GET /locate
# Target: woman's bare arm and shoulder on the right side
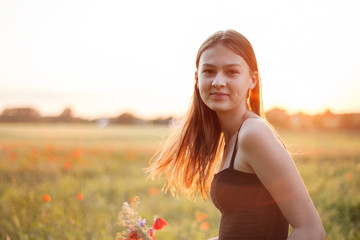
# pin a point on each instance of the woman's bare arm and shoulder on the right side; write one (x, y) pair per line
(263, 151)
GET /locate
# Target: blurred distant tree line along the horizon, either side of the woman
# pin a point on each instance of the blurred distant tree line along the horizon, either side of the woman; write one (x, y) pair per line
(279, 118)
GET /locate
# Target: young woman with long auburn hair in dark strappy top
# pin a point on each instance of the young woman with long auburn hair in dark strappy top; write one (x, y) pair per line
(225, 144)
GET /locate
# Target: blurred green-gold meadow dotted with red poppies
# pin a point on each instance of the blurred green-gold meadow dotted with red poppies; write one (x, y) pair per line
(89, 172)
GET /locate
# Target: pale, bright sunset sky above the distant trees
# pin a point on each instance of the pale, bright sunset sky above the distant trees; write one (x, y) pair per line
(103, 58)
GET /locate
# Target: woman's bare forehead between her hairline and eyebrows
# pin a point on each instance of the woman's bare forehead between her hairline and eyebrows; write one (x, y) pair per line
(220, 55)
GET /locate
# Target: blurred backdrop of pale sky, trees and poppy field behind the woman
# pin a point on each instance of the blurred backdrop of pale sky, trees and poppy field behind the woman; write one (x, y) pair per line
(88, 89)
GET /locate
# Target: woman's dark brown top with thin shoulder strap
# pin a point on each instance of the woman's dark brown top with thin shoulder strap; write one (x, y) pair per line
(248, 211)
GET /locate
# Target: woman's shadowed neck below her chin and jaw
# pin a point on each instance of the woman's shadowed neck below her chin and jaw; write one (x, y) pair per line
(230, 121)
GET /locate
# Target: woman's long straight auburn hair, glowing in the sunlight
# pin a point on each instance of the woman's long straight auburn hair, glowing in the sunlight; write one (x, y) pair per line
(192, 151)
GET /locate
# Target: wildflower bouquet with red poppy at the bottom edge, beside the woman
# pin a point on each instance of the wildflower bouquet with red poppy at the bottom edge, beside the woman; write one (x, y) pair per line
(135, 225)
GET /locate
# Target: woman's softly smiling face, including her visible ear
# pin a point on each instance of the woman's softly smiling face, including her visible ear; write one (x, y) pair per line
(223, 79)
